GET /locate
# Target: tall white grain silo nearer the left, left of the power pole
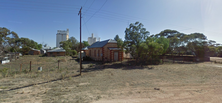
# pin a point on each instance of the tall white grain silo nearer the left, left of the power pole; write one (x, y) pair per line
(62, 35)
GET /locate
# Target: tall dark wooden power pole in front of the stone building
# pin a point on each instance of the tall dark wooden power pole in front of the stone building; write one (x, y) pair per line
(80, 58)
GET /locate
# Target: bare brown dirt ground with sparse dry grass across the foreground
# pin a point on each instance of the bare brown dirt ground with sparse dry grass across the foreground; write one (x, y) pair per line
(118, 83)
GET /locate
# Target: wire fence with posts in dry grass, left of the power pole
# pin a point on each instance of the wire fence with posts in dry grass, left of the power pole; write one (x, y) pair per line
(52, 68)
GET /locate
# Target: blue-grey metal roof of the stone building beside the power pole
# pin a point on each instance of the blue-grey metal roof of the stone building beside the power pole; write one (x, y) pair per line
(100, 44)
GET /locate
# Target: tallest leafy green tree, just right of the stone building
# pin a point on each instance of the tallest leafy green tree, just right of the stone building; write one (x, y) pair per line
(134, 36)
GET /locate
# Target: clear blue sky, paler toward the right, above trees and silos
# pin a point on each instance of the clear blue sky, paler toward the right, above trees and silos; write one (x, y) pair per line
(39, 20)
